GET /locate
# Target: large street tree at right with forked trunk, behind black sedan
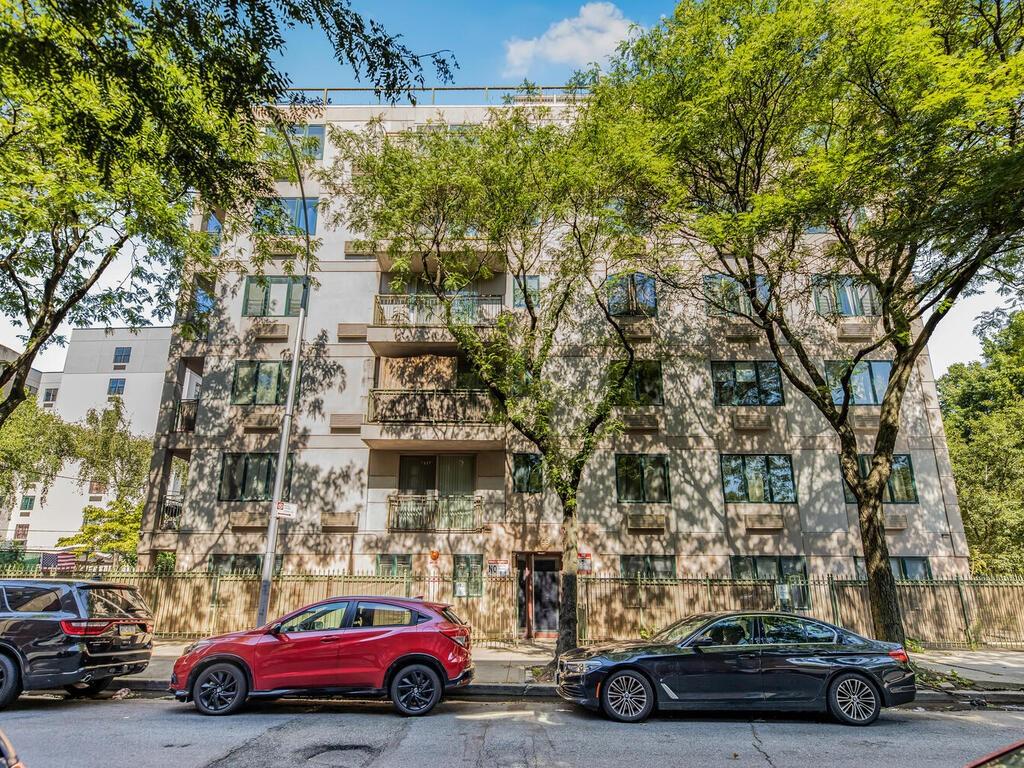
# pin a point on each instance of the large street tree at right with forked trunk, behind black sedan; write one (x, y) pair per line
(892, 129)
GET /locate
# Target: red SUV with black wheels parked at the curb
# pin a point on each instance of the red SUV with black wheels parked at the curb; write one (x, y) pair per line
(408, 650)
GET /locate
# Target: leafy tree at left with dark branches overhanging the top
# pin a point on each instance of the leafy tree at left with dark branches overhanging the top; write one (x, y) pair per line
(116, 119)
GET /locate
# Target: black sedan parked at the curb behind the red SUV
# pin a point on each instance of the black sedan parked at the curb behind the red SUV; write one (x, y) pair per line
(741, 661)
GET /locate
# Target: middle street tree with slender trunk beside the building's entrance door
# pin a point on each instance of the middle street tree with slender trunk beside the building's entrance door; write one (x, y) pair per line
(528, 196)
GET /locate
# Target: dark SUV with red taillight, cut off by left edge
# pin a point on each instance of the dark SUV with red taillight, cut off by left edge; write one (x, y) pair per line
(75, 635)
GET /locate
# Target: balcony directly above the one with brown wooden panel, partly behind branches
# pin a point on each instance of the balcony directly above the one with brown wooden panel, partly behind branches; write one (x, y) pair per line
(407, 324)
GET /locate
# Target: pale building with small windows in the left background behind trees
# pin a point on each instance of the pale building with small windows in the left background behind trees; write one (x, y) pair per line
(101, 365)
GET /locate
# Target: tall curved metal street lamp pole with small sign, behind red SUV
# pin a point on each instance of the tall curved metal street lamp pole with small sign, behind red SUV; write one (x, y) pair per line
(270, 554)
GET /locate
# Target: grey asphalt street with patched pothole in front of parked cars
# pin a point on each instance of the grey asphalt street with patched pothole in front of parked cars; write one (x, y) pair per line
(51, 733)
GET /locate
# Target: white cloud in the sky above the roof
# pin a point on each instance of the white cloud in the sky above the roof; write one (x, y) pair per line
(589, 36)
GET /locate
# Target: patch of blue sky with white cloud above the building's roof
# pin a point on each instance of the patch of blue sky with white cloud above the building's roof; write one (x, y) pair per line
(494, 42)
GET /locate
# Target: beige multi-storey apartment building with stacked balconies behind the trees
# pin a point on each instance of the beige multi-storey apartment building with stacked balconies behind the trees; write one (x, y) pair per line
(723, 468)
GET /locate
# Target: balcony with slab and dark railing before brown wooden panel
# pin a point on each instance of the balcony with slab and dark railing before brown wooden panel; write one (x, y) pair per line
(439, 419)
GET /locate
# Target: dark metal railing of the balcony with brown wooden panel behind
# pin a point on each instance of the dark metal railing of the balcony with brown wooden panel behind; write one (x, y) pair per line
(430, 407)
